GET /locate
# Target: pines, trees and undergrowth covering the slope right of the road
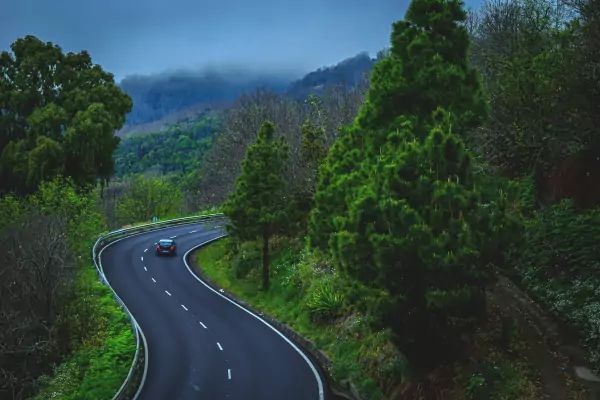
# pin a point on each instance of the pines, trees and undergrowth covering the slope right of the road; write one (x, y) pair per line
(434, 188)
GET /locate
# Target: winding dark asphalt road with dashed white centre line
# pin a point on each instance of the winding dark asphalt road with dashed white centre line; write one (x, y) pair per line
(201, 345)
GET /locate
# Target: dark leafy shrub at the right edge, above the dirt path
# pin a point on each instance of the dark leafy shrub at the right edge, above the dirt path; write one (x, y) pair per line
(558, 262)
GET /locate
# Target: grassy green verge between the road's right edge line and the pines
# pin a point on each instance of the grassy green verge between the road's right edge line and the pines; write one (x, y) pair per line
(345, 340)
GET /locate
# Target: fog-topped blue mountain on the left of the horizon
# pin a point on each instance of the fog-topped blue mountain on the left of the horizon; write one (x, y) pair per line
(155, 97)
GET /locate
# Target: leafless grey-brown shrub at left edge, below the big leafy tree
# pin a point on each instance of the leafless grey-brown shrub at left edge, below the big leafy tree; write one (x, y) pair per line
(36, 280)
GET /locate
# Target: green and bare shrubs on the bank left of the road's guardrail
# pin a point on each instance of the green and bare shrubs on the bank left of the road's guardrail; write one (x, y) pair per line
(66, 337)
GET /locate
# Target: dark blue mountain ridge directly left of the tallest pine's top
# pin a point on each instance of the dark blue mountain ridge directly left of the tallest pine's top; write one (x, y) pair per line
(349, 73)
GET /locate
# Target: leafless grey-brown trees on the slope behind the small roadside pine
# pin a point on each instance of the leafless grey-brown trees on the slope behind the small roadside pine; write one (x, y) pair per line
(338, 106)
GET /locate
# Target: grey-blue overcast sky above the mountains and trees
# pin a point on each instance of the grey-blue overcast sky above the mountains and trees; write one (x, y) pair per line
(150, 36)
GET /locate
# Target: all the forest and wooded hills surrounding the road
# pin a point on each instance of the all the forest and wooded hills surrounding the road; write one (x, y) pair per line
(403, 214)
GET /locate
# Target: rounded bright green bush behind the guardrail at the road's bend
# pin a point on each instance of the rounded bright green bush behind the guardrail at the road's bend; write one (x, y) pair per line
(145, 198)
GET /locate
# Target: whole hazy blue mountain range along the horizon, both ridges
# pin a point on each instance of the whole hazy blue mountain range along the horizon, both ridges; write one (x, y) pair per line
(178, 94)
